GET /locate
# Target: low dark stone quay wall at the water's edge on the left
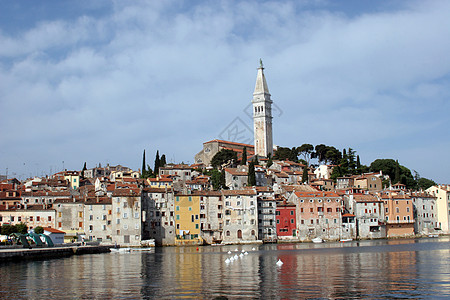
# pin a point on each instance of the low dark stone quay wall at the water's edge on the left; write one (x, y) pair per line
(44, 253)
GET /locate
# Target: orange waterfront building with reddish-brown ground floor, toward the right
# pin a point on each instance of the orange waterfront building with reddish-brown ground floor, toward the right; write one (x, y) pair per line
(399, 215)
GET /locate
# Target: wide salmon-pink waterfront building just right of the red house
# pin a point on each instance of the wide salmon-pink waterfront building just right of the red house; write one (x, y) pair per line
(318, 214)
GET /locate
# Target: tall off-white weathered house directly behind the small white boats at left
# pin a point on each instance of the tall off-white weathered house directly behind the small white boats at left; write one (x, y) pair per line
(126, 217)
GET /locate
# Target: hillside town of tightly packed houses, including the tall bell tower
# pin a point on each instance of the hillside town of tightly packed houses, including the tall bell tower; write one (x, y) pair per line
(233, 193)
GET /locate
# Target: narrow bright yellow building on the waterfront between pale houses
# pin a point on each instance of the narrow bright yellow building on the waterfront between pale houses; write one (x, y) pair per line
(187, 219)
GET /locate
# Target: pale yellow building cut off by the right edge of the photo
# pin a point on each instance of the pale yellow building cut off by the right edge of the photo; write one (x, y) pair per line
(442, 194)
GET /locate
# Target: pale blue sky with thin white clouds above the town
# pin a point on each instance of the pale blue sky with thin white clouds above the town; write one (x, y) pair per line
(100, 81)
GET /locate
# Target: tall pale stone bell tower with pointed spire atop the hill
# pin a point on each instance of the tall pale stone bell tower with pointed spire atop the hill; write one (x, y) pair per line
(262, 115)
